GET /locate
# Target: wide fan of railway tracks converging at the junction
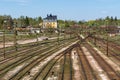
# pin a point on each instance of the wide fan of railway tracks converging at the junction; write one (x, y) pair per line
(75, 58)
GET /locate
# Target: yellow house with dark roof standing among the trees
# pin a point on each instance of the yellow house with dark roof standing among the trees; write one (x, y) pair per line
(50, 21)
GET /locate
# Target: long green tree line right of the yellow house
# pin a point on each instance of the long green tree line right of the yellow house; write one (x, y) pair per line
(109, 21)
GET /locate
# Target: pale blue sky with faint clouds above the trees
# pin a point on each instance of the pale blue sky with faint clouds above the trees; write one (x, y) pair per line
(64, 9)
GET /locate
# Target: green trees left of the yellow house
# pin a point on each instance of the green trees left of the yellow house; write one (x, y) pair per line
(22, 21)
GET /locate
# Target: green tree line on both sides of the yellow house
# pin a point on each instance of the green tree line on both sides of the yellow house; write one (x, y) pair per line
(24, 21)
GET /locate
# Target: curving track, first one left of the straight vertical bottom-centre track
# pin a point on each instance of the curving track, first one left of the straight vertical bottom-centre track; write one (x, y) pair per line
(47, 69)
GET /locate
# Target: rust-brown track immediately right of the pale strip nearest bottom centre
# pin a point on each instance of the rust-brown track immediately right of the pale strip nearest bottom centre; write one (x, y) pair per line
(87, 71)
